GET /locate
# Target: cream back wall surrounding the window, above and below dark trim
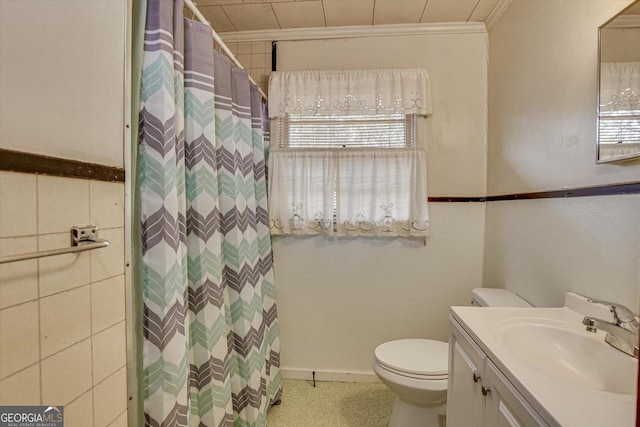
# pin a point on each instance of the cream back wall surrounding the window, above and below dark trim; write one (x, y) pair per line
(339, 299)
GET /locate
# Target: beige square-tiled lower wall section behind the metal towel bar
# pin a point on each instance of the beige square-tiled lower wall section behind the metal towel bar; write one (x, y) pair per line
(62, 318)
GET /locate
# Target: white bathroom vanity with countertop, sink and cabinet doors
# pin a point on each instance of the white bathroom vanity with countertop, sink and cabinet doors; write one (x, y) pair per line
(537, 366)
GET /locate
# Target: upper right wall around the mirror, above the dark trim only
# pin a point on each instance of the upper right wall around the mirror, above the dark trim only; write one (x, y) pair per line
(542, 99)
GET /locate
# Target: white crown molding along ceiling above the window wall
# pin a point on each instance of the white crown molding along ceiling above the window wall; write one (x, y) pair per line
(324, 33)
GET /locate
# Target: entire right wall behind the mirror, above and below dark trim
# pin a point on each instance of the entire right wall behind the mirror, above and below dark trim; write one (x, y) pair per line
(542, 136)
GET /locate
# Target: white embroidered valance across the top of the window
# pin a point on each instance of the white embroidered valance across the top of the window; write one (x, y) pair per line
(349, 92)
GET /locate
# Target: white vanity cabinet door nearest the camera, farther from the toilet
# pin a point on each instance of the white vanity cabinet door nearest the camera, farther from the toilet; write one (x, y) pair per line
(505, 406)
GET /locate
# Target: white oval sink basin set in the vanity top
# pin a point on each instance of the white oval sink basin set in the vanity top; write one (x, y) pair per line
(567, 352)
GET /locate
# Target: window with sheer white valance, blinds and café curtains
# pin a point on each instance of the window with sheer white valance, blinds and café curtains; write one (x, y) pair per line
(344, 161)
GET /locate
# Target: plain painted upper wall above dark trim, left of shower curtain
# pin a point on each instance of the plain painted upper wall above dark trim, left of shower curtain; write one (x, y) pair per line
(62, 80)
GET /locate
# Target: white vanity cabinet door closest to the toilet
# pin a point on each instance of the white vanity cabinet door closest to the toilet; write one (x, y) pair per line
(464, 399)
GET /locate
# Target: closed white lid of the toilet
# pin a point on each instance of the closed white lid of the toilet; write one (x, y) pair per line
(415, 356)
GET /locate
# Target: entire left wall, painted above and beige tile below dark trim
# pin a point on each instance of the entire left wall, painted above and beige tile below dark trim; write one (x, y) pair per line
(62, 318)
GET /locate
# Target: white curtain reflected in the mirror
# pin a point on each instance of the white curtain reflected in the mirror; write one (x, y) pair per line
(620, 88)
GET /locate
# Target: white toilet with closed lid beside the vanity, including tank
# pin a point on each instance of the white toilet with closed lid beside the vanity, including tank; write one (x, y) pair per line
(416, 370)
